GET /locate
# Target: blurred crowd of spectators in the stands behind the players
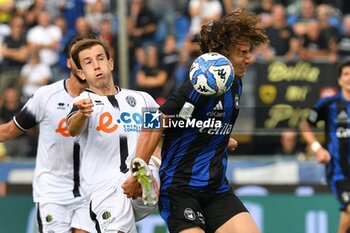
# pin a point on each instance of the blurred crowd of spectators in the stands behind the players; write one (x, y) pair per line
(34, 36)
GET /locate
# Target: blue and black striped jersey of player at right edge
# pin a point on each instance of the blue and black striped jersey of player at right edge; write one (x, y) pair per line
(334, 111)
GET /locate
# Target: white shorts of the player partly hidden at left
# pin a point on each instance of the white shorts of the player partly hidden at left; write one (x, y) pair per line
(62, 218)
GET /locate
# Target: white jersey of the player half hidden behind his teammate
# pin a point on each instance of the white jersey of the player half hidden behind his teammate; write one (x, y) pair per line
(56, 177)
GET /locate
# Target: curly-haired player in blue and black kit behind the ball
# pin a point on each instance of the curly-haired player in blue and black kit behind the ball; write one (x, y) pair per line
(195, 195)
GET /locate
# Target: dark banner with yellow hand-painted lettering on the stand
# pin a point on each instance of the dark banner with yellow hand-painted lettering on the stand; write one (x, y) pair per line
(286, 91)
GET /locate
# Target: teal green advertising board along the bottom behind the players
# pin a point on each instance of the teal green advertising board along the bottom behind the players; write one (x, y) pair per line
(273, 214)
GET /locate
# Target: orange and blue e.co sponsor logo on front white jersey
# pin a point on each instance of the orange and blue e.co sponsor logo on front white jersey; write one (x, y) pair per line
(131, 122)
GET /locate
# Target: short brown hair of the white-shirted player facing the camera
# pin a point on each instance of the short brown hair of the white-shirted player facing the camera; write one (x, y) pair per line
(86, 44)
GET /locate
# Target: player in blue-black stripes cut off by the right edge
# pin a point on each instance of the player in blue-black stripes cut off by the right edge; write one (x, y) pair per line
(334, 111)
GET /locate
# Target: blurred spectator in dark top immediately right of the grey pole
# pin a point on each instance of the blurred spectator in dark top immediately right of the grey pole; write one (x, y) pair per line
(142, 23)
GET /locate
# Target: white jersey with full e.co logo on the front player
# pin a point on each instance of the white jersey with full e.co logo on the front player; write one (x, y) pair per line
(109, 140)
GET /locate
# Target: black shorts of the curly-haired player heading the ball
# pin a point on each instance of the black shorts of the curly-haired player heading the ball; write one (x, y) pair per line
(187, 208)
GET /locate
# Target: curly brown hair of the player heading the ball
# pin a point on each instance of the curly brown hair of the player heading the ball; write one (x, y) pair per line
(221, 35)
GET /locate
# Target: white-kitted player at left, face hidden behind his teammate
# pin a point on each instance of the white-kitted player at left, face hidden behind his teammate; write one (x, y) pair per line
(61, 206)
